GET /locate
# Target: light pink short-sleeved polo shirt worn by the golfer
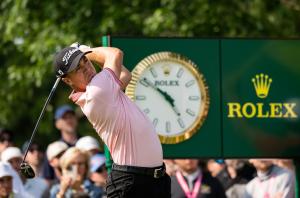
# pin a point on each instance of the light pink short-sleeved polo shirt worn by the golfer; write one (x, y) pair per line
(123, 127)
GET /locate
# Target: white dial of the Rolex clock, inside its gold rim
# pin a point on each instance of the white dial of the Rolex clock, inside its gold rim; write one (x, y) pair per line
(182, 88)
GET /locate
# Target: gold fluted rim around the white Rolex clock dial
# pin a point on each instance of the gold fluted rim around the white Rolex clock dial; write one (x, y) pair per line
(192, 67)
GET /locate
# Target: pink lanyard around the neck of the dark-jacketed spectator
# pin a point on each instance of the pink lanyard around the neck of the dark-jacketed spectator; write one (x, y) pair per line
(185, 188)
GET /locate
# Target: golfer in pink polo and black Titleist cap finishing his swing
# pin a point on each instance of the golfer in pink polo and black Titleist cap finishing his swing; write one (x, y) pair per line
(138, 169)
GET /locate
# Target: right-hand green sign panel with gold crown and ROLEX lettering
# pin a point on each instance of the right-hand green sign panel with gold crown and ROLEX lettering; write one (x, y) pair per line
(264, 75)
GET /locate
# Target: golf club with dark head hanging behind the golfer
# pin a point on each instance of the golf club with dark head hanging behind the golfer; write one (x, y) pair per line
(25, 168)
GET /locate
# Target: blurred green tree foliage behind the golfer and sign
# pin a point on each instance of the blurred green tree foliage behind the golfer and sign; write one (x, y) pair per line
(32, 31)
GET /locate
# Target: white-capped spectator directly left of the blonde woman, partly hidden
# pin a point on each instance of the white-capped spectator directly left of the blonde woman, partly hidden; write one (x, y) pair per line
(54, 151)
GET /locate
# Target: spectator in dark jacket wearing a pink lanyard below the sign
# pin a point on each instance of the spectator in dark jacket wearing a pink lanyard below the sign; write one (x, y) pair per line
(191, 181)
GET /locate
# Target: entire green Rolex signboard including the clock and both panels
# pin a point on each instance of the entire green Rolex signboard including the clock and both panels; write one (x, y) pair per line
(250, 89)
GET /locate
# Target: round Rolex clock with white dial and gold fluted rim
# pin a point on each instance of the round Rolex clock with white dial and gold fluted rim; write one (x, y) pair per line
(170, 90)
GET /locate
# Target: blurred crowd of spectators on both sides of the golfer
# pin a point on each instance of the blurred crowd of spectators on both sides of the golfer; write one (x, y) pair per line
(74, 166)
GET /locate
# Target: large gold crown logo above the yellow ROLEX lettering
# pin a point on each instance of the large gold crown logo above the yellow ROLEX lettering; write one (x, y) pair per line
(262, 85)
